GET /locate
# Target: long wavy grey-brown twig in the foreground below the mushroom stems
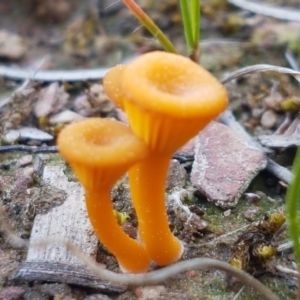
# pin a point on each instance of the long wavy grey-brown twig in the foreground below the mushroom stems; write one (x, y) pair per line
(163, 274)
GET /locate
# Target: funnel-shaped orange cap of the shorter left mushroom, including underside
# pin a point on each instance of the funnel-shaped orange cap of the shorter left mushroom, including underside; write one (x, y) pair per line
(100, 150)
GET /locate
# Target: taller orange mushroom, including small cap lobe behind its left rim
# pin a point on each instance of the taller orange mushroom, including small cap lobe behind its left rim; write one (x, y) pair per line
(168, 99)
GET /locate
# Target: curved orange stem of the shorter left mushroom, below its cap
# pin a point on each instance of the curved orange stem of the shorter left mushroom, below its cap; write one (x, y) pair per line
(131, 254)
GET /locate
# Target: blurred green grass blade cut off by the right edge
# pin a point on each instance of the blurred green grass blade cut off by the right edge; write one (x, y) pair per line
(292, 204)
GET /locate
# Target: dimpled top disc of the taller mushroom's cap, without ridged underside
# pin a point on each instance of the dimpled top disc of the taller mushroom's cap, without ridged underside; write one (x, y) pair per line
(173, 85)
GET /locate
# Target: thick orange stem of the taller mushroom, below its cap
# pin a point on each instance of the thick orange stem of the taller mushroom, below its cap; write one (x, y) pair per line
(147, 183)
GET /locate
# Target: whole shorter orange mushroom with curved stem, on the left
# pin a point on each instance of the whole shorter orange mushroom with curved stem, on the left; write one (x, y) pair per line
(100, 151)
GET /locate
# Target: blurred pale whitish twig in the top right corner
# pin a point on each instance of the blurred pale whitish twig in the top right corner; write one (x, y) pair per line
(281, 13)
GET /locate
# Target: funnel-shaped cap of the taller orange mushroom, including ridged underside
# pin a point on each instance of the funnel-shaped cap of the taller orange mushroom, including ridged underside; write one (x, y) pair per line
(168, 99)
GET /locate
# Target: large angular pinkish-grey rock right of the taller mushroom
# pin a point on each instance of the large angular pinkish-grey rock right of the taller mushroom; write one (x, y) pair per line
(224, 165)
